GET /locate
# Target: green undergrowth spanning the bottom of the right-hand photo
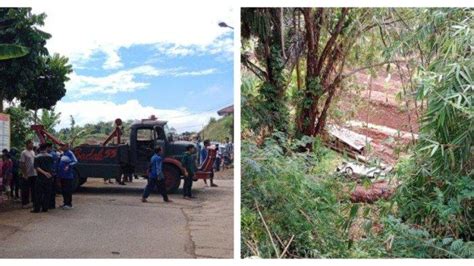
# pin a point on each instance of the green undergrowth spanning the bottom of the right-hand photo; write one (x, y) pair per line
(294, 205)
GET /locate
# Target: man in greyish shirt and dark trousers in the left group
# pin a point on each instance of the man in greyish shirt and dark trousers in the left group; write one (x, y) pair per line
(28, 180)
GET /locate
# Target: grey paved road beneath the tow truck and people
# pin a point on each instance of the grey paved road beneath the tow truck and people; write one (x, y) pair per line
(109, 221)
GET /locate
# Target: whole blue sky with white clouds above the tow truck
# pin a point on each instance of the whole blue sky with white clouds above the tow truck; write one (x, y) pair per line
(133, 61)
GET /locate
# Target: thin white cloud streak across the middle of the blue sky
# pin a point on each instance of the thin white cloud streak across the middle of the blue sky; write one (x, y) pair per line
(123, 80)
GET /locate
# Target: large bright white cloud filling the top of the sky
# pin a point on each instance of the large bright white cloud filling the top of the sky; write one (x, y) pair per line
(81, 28)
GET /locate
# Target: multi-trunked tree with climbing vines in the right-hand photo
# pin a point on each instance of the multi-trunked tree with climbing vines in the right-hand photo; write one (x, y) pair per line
(326, 41)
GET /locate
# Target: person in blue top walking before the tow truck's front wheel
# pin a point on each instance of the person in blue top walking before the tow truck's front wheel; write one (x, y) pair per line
(156, 177)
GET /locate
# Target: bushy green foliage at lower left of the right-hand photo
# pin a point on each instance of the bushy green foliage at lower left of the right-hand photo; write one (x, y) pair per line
(275, 189)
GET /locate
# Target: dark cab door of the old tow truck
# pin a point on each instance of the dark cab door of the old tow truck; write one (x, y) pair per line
(144, 149)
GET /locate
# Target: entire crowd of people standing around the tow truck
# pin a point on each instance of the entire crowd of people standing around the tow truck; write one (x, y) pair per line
(41, 172)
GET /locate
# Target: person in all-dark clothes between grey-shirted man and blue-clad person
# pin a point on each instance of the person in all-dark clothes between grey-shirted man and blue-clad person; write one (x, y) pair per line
(44, 167)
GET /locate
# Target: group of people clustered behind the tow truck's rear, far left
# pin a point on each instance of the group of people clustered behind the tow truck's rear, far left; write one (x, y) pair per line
(37, 175)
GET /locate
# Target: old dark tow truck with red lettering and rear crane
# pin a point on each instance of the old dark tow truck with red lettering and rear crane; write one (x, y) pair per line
(112, 159)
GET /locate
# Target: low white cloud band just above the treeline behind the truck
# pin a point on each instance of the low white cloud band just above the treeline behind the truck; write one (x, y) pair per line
(87, 112)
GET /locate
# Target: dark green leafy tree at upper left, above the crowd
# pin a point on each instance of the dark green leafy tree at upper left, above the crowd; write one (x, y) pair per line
(35, 79)
